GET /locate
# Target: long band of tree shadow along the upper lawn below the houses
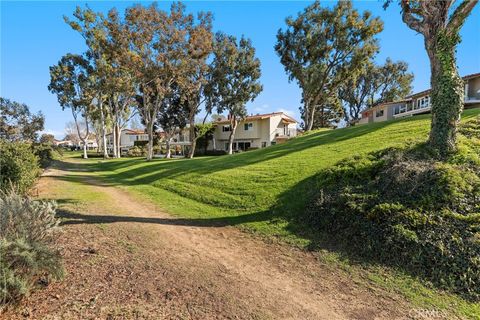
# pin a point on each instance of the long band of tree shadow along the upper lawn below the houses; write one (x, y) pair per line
(147, 173)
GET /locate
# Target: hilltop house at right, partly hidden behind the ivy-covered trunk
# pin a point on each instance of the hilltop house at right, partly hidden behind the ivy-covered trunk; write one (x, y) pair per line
(419, 103)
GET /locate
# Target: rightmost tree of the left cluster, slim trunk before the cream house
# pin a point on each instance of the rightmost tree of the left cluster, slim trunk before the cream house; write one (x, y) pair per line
(233, 79)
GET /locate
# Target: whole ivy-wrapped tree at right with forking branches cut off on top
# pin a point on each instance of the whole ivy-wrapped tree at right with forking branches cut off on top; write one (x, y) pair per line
(440, 23)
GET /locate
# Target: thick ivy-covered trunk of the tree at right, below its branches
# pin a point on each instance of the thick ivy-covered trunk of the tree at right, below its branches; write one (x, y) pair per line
(447, 95)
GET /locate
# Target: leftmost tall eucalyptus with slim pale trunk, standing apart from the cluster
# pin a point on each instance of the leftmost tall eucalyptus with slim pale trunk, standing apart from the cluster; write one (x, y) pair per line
(70, 81)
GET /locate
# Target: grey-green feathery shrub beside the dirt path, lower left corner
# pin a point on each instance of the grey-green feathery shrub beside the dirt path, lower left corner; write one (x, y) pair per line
(26, 235)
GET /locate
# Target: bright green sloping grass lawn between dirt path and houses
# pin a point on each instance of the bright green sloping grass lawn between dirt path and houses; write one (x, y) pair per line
(265, 190)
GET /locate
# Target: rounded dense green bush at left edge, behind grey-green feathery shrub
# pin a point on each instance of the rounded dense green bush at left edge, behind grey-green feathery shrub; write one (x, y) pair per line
(19, 166)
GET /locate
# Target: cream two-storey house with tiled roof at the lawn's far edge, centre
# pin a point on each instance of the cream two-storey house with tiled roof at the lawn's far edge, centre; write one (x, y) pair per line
(255, 131)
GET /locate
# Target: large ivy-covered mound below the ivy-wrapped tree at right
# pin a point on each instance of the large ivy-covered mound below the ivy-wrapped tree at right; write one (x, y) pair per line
(407, 208)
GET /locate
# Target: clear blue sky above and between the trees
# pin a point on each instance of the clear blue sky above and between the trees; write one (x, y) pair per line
(34, 37)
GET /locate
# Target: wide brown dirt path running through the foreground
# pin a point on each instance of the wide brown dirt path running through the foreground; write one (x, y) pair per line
(126, 259)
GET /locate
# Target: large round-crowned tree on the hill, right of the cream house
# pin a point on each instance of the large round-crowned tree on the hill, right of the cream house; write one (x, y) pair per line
(322, 48)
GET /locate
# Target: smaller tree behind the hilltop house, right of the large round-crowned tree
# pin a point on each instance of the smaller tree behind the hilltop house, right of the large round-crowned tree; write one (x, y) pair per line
(374, 85)
